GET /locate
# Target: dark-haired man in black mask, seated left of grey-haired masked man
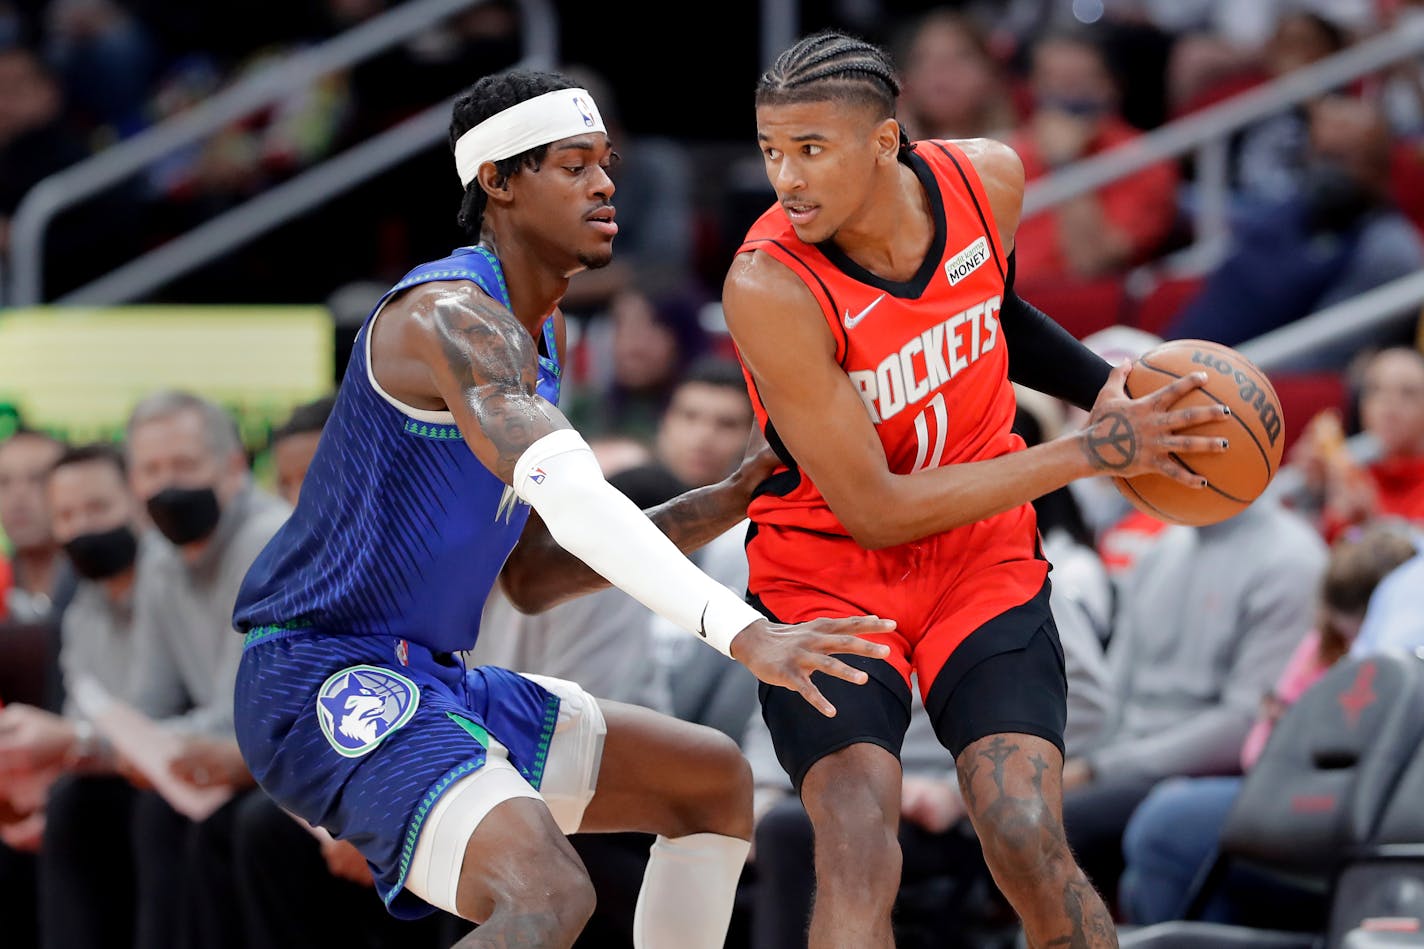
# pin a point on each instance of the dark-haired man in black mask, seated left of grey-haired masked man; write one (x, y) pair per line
(82, 821)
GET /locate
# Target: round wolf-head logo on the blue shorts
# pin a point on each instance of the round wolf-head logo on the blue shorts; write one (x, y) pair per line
(362, 705)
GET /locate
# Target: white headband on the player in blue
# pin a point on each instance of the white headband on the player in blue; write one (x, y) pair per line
(533, 123)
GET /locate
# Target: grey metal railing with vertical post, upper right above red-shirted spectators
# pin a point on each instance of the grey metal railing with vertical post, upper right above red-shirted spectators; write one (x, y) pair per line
(1208, 133)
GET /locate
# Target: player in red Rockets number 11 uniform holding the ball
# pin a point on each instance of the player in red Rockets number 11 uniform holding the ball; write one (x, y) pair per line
(874, 308)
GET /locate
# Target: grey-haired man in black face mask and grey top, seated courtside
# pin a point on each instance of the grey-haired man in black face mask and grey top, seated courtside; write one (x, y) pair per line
(189, 468)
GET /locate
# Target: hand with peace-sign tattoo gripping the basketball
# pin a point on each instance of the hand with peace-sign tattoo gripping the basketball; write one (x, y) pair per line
(1127, 437)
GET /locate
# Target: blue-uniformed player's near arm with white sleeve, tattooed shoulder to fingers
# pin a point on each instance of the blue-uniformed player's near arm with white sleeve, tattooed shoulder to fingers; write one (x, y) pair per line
(483, 365)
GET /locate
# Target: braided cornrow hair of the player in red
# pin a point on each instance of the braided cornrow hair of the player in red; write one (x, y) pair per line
(834, 66)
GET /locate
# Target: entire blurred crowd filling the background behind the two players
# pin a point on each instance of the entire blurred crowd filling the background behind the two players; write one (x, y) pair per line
(1184, 646)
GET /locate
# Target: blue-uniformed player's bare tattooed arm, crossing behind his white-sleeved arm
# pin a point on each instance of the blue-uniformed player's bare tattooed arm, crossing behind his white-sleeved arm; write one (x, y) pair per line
(540, 575)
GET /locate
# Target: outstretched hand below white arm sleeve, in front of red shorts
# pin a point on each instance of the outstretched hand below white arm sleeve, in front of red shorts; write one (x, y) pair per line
(787, 656)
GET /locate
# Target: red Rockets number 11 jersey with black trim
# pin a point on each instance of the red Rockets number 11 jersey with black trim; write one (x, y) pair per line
(926, 356)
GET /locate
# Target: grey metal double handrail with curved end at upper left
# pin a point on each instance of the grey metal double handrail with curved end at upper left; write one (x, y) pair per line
(80, 182)
